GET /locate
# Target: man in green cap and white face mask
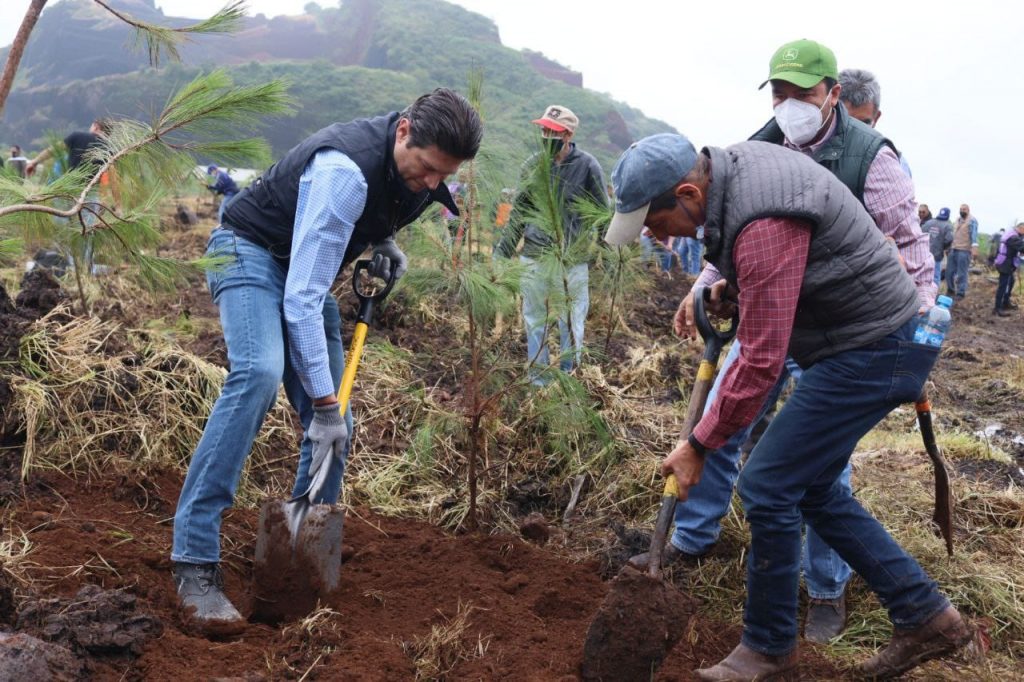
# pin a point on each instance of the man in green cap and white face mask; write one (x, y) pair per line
(809, 119)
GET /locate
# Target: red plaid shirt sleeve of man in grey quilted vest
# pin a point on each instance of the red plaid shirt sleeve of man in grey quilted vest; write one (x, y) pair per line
(771, 257)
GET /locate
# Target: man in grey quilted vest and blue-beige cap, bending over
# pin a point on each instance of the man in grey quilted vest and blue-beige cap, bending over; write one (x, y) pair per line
(776, 225)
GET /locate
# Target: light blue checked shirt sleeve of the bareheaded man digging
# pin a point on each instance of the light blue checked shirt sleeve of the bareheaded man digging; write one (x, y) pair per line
(332, 197)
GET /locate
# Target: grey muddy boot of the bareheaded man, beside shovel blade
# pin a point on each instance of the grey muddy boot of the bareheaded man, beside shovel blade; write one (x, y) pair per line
(203, 603)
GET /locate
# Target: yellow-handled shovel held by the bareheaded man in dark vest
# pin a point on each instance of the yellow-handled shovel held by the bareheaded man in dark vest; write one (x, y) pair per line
(298, 544)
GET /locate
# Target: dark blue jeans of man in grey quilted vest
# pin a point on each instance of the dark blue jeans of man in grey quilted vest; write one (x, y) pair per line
(793, 476)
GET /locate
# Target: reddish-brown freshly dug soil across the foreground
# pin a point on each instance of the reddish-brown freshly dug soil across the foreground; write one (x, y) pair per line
(529, 611)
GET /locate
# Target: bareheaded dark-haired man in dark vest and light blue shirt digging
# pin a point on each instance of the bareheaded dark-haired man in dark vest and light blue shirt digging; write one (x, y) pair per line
(343, 190)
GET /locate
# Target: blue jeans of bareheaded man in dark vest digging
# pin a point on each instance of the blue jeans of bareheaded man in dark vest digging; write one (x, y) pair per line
(248, 292)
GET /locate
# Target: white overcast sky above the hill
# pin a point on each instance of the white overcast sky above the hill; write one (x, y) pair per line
(953, 97)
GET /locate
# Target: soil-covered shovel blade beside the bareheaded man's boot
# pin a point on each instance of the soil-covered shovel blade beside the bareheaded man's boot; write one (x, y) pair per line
(293, 574)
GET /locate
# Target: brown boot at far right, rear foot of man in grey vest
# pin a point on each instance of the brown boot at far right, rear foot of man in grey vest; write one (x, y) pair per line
(944, 634)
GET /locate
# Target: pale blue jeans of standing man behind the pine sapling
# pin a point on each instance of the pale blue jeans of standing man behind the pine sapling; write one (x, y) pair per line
(543, 303)
